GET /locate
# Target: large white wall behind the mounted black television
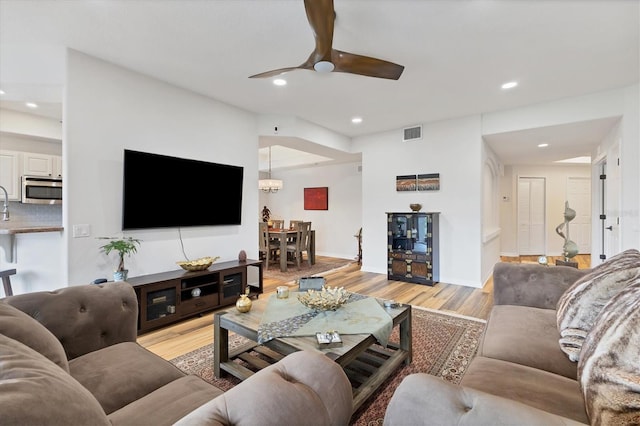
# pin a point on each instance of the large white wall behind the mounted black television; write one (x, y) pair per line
(107, 109)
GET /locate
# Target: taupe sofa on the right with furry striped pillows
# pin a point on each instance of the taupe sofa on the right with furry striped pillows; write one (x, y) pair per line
(522, 374)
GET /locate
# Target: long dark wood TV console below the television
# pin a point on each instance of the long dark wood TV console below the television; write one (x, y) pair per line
(168, 297)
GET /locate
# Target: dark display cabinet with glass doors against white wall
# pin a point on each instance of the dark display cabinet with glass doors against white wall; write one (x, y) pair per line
(412, 247)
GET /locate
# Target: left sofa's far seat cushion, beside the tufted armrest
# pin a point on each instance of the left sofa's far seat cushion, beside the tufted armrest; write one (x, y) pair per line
(120, 374)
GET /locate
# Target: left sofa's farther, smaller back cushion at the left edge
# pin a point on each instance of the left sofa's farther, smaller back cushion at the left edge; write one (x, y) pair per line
(19, 326)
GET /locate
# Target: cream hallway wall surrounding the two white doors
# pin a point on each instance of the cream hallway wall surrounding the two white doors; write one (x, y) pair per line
(556, 195)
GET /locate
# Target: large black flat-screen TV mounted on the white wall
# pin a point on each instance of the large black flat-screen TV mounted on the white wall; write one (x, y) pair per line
(161, 191)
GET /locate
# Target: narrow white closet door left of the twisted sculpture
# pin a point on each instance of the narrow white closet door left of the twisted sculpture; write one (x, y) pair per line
(531, 216)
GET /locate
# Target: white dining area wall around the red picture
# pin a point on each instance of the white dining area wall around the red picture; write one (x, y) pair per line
(335, 228)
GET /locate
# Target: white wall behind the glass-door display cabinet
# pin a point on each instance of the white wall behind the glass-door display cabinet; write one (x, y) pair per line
(451, 148)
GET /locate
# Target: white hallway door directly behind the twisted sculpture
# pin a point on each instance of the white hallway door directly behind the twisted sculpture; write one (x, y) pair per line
(579, 198)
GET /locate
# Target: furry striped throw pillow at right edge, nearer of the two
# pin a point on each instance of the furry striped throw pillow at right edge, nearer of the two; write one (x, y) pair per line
(609, 365)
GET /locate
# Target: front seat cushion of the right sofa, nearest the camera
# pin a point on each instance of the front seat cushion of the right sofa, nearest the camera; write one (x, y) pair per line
(536, 388)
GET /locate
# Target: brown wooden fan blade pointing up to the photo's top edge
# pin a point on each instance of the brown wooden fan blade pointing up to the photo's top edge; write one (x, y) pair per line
(321, 16)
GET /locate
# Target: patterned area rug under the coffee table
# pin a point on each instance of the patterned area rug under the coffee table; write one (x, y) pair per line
(443, 345)
